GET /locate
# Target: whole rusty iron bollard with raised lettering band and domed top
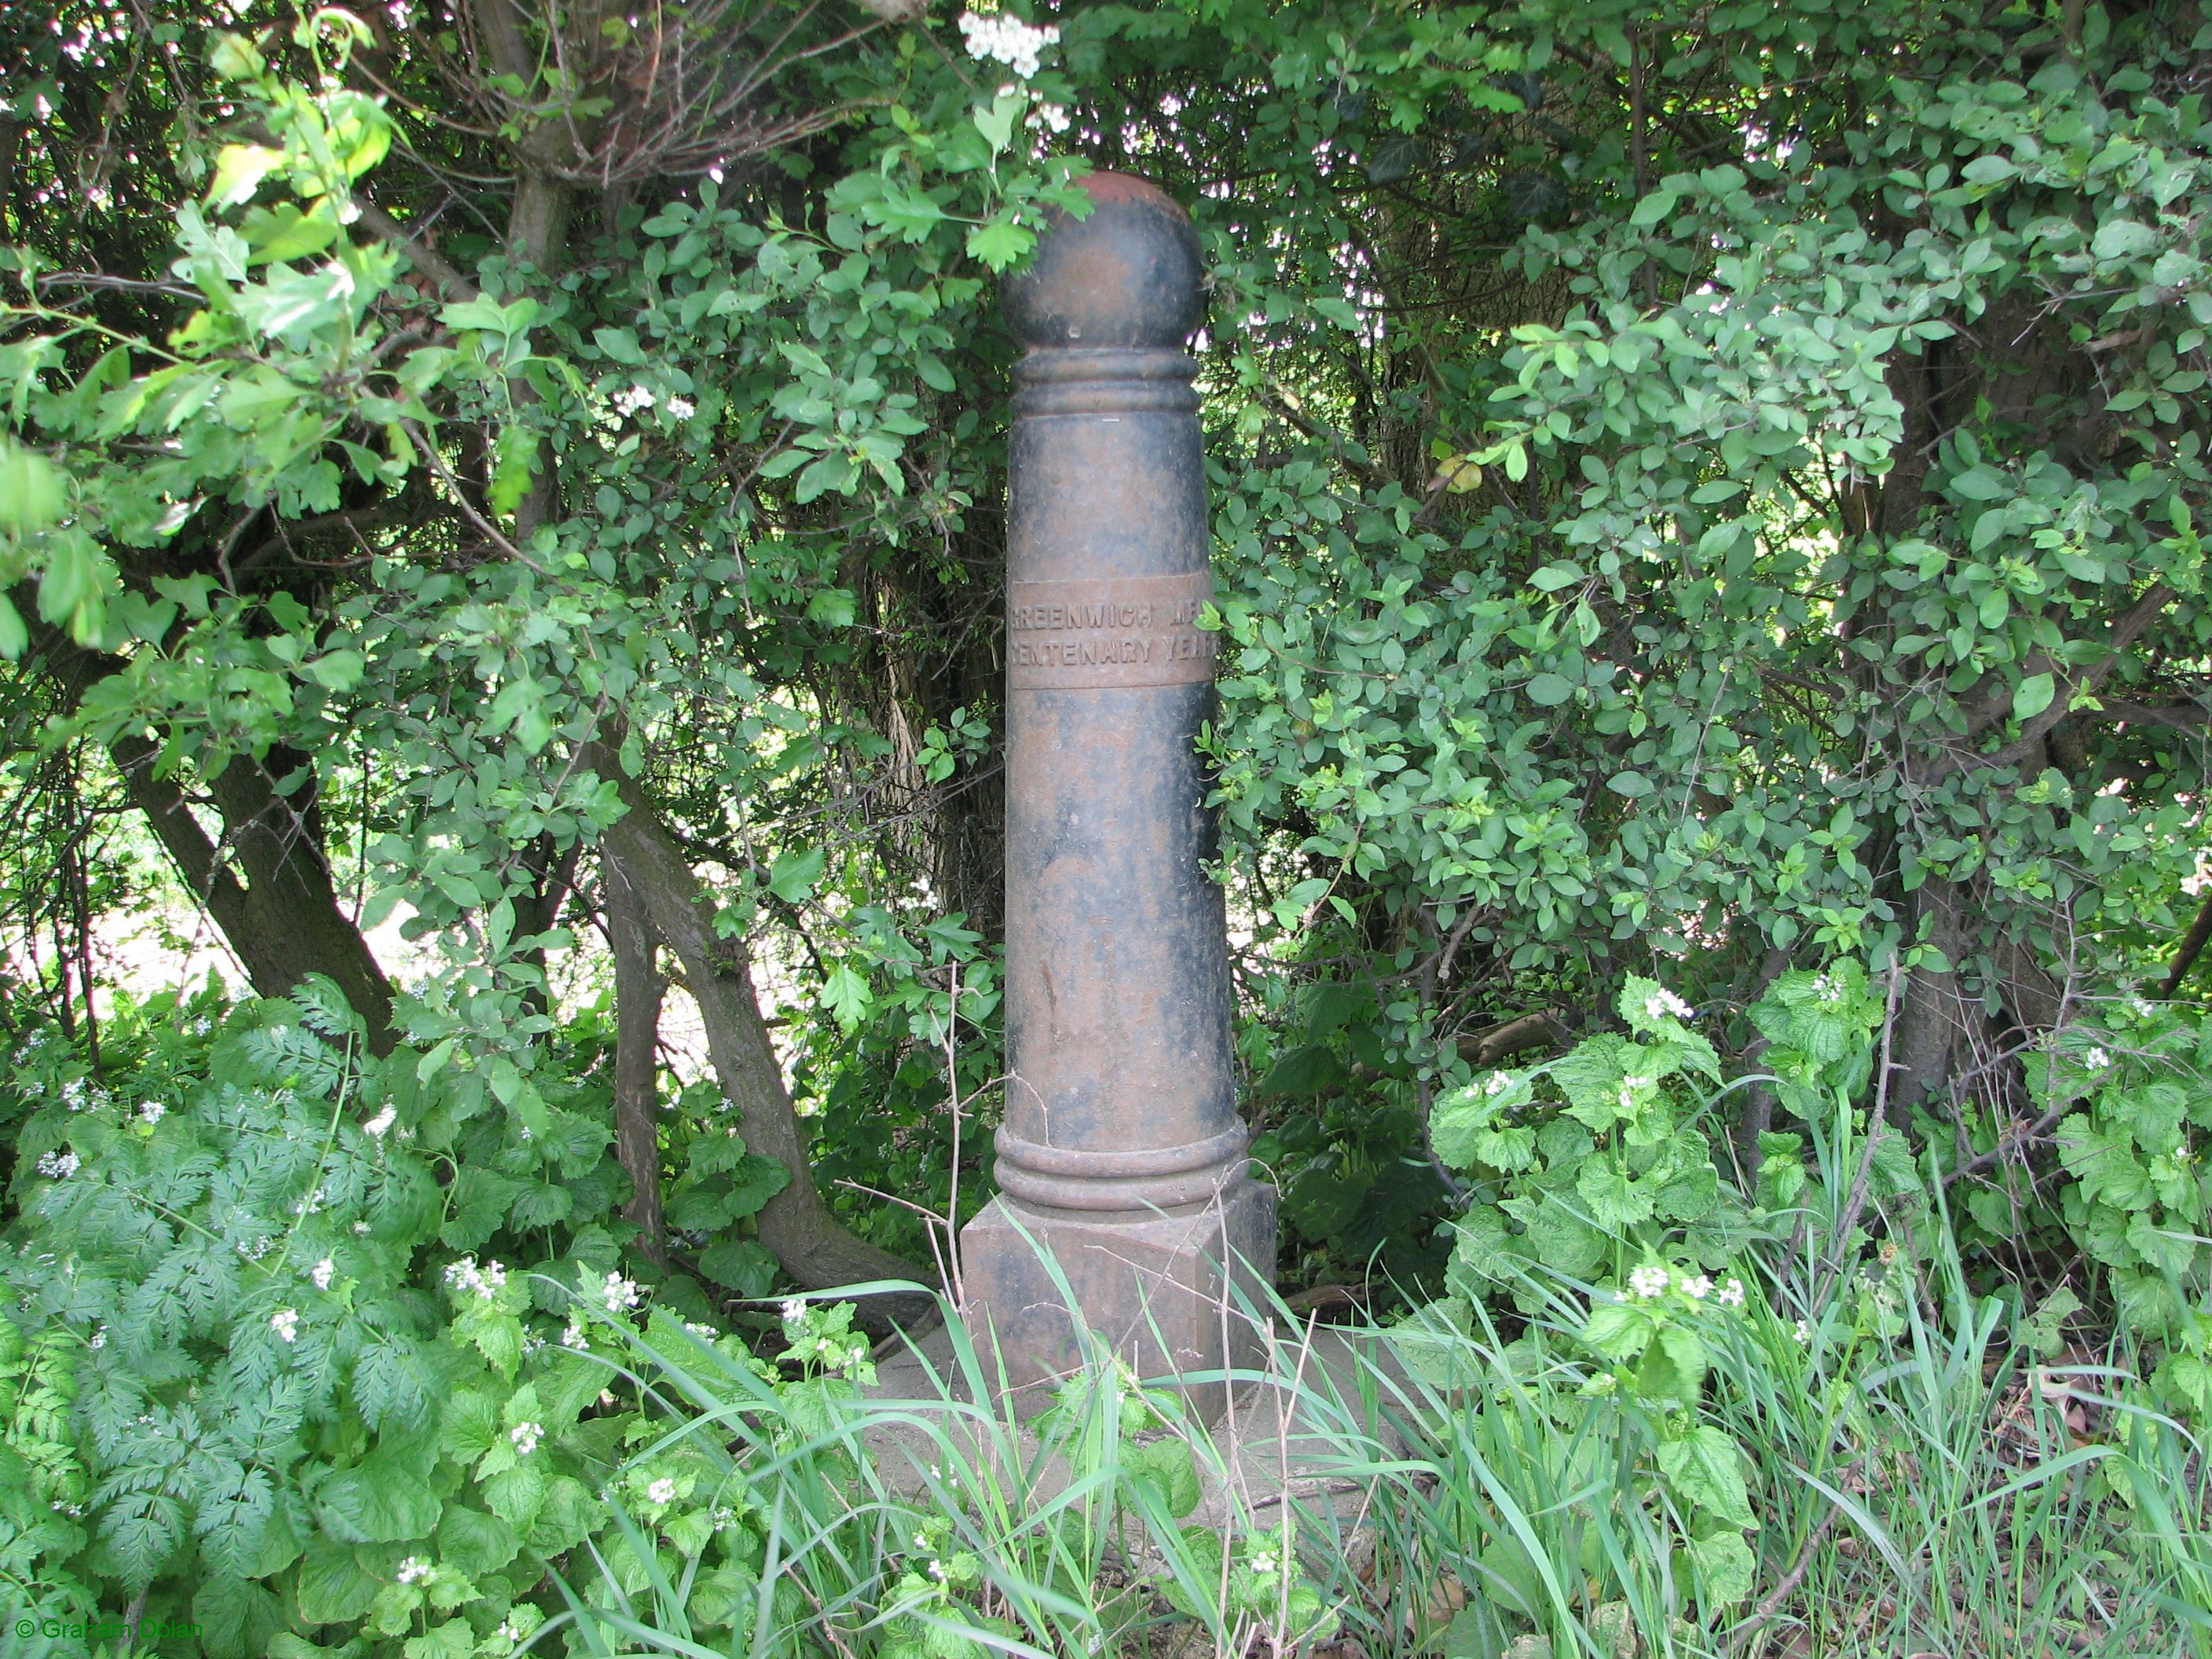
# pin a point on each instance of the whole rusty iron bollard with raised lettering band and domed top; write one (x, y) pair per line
(1120, 1149)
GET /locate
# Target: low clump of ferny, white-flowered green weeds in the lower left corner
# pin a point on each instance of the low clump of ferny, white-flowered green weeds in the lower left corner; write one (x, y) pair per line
(304, 1339)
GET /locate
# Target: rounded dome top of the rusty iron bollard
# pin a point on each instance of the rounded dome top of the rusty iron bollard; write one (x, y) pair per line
(1123, 280)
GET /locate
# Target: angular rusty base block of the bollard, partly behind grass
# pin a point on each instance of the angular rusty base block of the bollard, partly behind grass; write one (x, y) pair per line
(1167, 1291)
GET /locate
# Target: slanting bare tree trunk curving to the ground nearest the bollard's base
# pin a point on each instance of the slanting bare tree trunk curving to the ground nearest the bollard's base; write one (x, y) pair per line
(797, 1227)
